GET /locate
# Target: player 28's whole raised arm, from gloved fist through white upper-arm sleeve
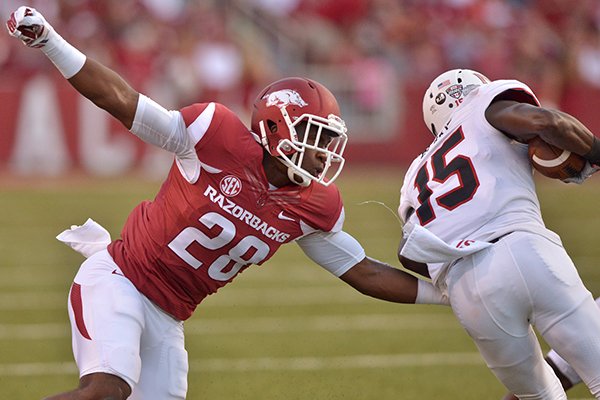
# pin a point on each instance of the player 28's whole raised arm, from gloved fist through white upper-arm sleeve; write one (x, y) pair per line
(143, 117)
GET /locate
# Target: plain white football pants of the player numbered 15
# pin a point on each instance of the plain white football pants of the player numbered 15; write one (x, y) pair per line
(522, 280)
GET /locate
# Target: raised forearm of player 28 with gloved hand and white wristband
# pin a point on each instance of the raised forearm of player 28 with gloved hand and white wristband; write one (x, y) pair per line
(101, 85)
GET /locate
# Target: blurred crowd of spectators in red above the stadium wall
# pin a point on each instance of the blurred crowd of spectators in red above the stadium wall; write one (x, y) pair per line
(182, 51)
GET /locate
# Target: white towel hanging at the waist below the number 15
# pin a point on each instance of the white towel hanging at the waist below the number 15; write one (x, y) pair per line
(424, 246)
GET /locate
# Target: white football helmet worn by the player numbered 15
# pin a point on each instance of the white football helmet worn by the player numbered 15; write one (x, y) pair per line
(446, 93)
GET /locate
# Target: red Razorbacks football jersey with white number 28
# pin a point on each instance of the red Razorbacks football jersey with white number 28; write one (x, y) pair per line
(196, 237)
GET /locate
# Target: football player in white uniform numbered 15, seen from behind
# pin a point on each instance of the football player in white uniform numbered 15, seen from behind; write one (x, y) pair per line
(472, 222)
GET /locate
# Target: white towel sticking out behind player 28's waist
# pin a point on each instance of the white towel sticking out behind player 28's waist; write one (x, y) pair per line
(86, 239)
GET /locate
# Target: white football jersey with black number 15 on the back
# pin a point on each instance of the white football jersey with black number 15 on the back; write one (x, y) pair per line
(473, 182)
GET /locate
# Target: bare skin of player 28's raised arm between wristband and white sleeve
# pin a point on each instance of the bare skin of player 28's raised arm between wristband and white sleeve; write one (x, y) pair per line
(107, 90)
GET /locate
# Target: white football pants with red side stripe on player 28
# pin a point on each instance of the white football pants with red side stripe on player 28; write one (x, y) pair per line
(117, 330)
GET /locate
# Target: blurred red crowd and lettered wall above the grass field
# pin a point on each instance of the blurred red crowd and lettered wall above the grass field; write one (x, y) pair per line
(376, 56)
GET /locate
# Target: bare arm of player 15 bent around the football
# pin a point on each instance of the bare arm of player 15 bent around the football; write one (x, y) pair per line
(523, 122)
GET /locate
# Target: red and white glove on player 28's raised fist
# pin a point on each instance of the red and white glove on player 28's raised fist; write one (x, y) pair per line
(29, 26)
